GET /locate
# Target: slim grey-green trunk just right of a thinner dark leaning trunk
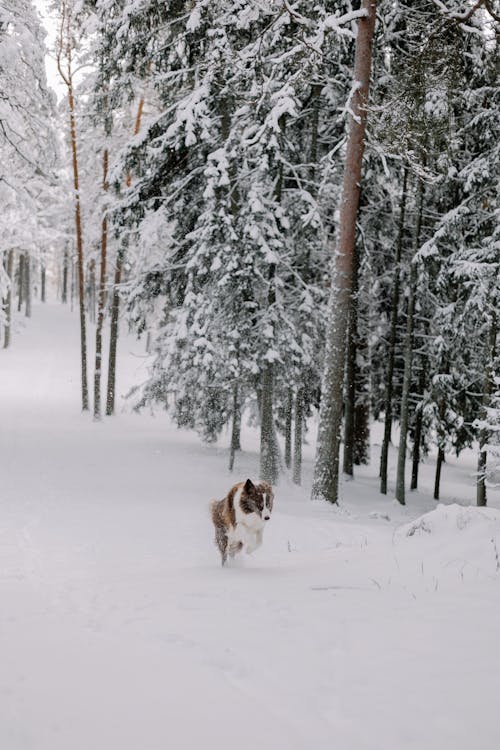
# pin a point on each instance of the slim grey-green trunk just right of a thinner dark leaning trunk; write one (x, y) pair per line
(408, 354)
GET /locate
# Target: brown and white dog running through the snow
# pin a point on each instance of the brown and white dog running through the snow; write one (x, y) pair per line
(239, 518)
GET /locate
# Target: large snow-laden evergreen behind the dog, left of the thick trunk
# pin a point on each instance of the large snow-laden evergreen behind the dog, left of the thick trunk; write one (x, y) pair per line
(222, 159)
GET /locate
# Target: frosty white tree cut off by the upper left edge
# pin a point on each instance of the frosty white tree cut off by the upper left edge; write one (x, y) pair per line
(27, 150)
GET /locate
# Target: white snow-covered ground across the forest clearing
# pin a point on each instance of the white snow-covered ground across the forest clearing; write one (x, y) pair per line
(119, 630)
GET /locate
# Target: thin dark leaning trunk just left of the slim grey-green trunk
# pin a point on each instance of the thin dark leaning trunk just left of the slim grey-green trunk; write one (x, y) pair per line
(389, 381)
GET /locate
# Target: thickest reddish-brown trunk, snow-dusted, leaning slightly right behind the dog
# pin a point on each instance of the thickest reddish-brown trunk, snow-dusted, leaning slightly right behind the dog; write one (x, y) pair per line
(326, 471)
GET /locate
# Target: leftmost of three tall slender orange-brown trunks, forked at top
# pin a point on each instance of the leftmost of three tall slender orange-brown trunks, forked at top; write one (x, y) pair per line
(65, 49)
